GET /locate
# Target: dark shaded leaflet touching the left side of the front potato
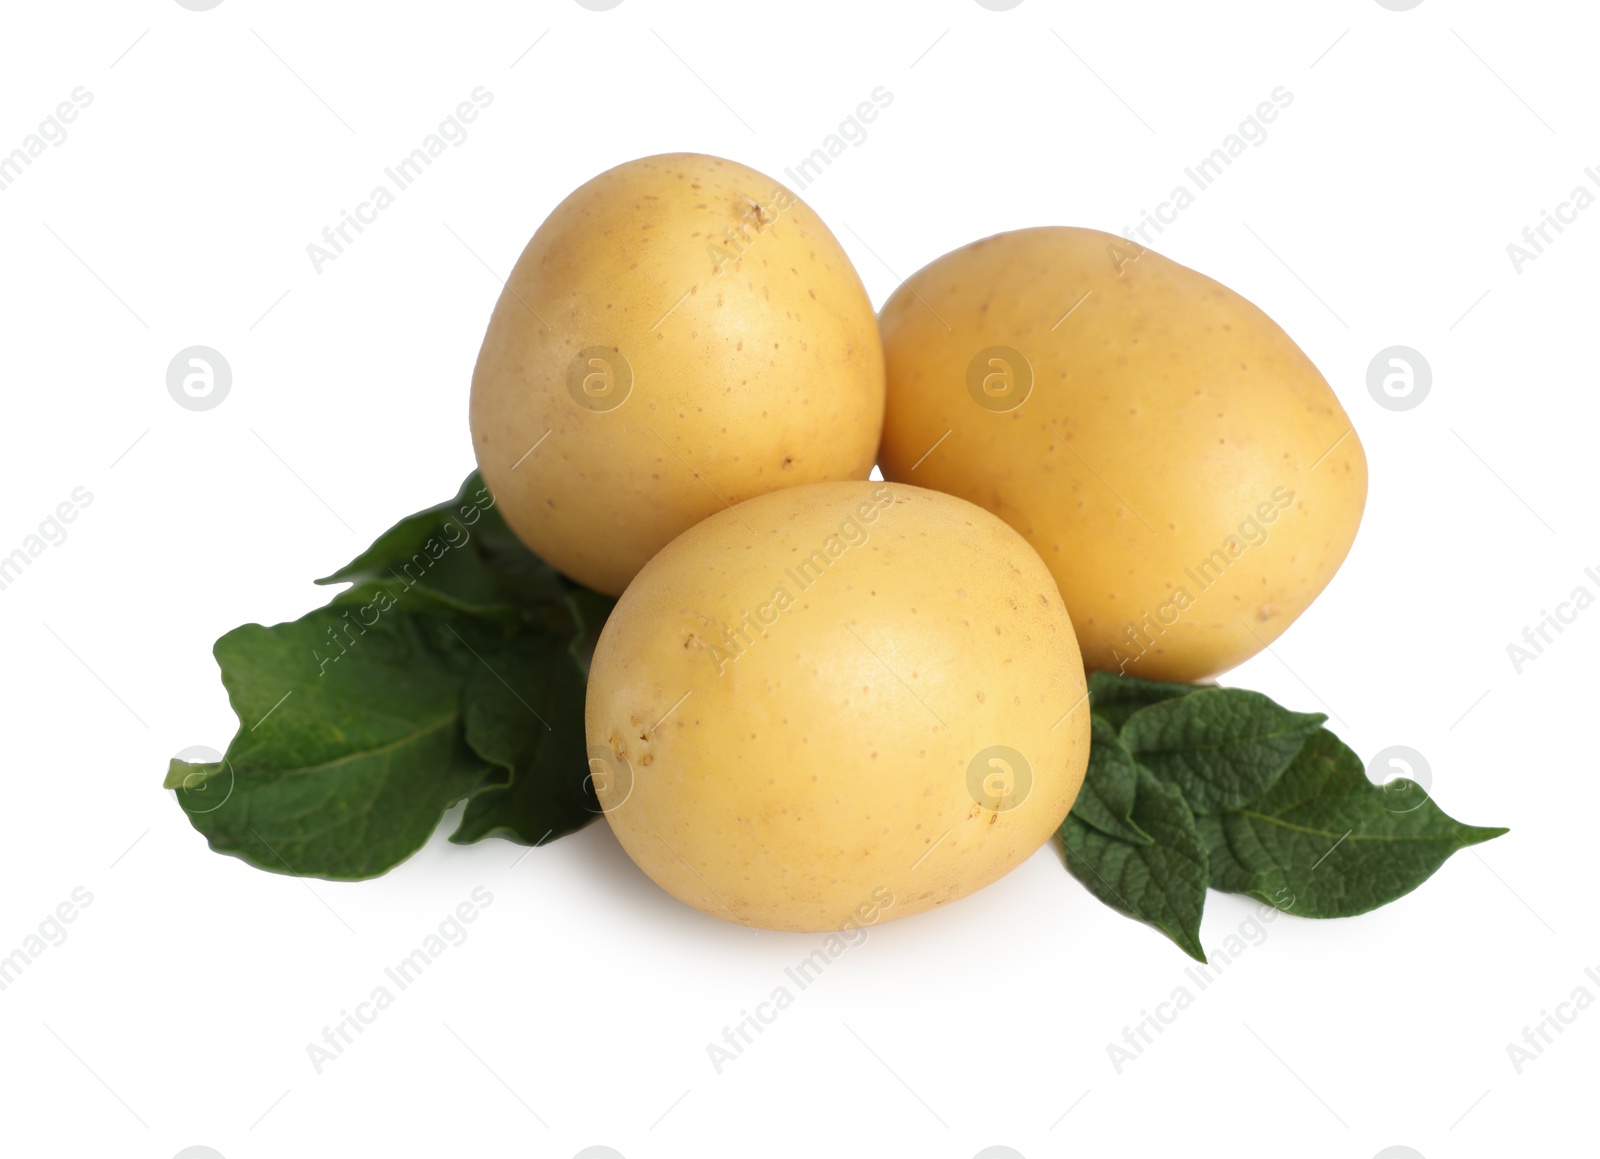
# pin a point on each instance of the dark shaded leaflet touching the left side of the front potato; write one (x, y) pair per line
(524, 708)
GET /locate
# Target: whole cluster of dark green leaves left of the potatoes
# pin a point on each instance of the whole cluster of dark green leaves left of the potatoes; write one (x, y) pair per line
(420, 686)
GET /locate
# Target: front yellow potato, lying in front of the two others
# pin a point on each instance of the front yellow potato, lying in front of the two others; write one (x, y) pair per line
(838, 705)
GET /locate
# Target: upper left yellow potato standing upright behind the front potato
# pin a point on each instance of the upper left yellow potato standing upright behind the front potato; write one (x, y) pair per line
(682, 334)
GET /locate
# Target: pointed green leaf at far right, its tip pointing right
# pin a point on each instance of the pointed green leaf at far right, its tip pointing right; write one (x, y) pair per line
(1327, 843)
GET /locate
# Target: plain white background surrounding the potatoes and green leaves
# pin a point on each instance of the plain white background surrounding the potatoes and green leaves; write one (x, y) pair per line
(220, 145)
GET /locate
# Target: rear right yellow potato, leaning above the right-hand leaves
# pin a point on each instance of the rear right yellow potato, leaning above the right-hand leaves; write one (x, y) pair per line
(1175, 459)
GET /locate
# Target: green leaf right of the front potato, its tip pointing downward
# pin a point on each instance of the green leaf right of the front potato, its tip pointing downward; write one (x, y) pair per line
(1161, 884)
